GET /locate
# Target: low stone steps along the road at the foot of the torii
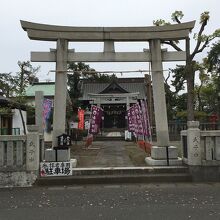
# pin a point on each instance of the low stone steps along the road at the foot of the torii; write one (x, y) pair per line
(120, 175)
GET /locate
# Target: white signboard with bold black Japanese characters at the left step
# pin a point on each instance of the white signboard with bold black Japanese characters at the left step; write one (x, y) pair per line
(55, 169)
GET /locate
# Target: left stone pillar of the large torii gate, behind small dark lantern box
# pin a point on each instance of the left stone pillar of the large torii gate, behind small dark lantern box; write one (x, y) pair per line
(59, 117)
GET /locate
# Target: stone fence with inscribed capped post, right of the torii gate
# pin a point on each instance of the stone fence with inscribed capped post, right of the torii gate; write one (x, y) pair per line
(201, 152)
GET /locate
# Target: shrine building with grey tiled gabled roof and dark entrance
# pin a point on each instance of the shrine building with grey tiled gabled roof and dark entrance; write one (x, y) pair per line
(114, 98)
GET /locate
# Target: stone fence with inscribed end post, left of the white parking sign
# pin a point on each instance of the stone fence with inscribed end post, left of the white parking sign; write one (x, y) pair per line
(19, 159)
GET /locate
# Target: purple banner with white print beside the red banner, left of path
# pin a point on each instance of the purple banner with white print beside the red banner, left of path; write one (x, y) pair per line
(95, 120)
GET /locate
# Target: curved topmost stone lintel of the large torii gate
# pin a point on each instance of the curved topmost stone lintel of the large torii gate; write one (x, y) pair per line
(37, 31)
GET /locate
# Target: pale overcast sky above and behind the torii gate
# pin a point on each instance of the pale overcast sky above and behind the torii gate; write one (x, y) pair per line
(15, 45)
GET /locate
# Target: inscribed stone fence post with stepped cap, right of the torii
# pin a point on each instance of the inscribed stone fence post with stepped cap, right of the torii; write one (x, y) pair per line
(193, 143)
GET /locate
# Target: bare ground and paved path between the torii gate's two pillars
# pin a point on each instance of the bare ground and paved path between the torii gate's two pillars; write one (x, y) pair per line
(111, 153)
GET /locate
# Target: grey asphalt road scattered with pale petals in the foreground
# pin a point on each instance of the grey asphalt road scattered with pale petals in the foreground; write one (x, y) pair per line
(110, 202)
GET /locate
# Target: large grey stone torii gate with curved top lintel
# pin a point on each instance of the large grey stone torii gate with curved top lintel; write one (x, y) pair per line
(154, 35)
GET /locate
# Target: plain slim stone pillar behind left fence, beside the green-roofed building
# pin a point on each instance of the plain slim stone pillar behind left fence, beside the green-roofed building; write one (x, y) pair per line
(39, 98)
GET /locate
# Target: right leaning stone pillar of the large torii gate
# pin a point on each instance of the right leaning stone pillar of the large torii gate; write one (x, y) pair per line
(159, 94)
